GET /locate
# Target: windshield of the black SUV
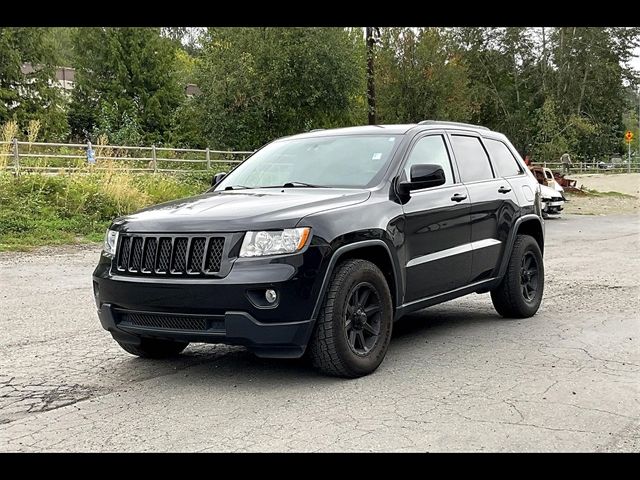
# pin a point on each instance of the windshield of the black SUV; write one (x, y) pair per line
(337, 161)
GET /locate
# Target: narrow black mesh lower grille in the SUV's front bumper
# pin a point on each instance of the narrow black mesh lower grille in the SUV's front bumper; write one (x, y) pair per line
(170, 321)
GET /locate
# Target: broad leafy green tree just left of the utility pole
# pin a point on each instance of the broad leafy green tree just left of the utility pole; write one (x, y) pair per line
(262, 83)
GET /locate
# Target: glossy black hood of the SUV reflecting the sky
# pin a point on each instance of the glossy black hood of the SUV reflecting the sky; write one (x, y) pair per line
(232, 211)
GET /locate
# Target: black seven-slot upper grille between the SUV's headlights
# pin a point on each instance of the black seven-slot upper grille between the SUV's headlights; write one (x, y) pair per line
(169, 255)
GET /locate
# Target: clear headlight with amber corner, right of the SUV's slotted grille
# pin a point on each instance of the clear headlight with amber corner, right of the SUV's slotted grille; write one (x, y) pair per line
(257, 244)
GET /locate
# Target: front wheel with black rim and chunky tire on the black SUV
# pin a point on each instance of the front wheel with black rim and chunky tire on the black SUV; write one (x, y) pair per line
(344, 343)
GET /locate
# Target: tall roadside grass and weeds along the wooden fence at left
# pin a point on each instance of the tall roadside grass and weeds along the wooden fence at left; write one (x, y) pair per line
(41, 209)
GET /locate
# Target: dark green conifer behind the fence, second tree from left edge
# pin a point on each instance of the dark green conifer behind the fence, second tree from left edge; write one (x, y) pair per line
(126, 84)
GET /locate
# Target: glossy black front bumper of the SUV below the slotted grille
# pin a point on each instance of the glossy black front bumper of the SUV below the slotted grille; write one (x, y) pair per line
(229, 304)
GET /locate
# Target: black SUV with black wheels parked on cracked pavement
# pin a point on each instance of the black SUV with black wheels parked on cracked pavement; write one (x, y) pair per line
(319, 241)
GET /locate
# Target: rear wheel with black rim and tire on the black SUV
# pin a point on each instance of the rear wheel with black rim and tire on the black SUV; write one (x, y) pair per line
(512, 298)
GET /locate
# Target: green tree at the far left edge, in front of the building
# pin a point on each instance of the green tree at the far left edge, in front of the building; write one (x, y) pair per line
(32, 95)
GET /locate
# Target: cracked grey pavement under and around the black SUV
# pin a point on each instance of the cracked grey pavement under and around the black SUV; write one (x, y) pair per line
(457, 376)
